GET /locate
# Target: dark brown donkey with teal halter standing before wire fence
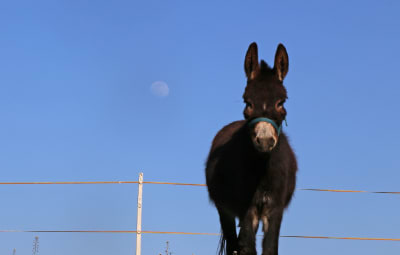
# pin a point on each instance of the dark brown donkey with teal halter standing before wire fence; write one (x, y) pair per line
(251, 168)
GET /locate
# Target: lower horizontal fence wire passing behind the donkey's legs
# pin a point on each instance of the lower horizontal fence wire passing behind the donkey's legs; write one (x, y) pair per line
(191, 233)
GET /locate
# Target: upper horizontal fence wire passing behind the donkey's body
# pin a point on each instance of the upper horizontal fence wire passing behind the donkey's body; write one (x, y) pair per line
(184, 184)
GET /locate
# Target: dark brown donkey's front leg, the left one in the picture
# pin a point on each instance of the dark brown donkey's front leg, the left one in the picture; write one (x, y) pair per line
(248, 229)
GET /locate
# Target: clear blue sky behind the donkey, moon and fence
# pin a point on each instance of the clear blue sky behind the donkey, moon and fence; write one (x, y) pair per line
(76, 105)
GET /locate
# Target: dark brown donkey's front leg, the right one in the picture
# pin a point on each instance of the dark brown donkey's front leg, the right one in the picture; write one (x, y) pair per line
(272, 225)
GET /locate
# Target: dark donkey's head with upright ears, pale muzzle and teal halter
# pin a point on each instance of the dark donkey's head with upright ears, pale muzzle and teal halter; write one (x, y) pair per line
(264, 97)
